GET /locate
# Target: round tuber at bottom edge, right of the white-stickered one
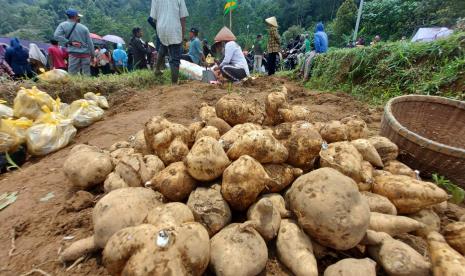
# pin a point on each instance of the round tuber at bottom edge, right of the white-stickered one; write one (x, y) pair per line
(238, 249)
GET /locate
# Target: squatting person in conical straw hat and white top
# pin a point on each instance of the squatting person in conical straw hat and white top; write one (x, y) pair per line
(234, 66)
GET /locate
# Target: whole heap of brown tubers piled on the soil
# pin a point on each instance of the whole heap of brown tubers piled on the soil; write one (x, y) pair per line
(217, 194)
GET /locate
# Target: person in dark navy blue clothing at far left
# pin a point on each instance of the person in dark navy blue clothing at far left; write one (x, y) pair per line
(16, 56)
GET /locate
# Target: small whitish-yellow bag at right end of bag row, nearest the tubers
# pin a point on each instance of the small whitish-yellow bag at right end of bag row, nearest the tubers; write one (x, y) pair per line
(84, 113)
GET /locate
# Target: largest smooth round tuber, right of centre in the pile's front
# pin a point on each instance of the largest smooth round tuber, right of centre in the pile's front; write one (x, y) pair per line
(329, 208)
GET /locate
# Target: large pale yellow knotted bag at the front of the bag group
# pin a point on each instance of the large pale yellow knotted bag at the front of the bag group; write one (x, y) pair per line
(51, 132)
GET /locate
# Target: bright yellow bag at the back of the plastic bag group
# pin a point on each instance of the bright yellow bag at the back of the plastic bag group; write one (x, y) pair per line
(28, 103)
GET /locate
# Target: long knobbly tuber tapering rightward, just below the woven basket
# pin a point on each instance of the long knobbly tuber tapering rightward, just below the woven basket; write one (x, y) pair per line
(407, 194)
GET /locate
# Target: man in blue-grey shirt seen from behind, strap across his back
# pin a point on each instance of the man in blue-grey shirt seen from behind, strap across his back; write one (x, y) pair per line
(77, 39)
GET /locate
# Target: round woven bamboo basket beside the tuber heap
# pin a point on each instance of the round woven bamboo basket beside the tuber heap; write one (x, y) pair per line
(430, 133)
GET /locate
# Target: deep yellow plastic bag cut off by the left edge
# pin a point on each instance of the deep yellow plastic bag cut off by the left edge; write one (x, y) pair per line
(13, 133)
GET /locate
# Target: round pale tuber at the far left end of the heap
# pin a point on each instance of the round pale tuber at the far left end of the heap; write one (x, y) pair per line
(87, 166)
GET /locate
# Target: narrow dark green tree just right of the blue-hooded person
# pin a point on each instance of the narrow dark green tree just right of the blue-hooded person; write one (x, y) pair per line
(345, 21)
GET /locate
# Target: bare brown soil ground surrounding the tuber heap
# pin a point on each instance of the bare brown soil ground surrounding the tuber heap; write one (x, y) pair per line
(42, 228)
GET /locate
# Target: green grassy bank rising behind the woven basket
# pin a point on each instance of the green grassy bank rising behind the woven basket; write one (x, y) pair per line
(387, 70)
